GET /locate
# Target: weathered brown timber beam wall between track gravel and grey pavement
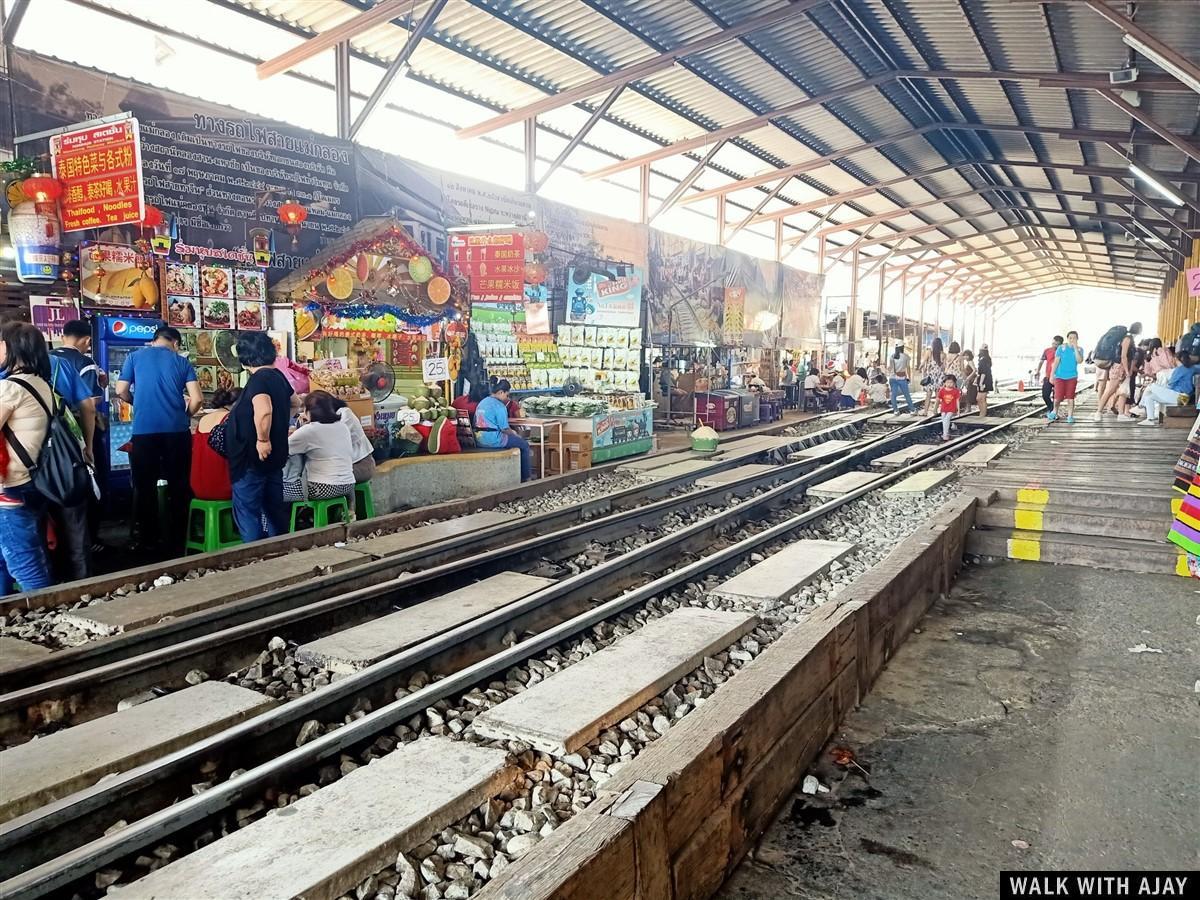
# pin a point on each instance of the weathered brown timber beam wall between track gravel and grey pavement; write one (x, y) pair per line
(677, 820)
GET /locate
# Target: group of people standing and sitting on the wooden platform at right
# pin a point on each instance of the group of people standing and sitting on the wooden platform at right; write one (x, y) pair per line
(1136, 380)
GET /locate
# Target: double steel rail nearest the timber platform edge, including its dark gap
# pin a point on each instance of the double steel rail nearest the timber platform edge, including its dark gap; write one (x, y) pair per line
(56, 831)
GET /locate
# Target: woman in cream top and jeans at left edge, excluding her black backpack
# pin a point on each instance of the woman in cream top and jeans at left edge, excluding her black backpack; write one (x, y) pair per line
(25, 423)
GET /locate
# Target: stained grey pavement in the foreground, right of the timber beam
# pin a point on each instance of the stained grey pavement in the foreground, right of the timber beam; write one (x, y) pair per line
(1017, 715)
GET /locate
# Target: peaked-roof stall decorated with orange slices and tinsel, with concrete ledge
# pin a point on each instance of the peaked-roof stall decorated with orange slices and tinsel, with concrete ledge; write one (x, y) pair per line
(382, 327)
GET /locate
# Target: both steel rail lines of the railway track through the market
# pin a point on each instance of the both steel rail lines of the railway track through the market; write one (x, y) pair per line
(56, 845)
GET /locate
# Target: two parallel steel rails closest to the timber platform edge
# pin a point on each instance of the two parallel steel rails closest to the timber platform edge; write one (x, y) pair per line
(65, 815)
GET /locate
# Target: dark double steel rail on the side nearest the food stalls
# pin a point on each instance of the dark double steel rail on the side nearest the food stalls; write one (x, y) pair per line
(74, 686)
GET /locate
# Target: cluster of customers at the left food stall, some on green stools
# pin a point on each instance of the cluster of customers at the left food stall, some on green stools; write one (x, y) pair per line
(259, 448)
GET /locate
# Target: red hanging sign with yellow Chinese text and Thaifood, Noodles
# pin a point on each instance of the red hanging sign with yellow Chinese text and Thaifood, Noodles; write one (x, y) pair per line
(101, 175)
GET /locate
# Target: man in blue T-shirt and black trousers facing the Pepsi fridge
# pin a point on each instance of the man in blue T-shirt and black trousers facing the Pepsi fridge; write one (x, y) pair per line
(163, 440)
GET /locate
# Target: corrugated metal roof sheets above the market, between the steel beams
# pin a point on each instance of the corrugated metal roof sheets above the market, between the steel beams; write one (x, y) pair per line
(509, 53)
